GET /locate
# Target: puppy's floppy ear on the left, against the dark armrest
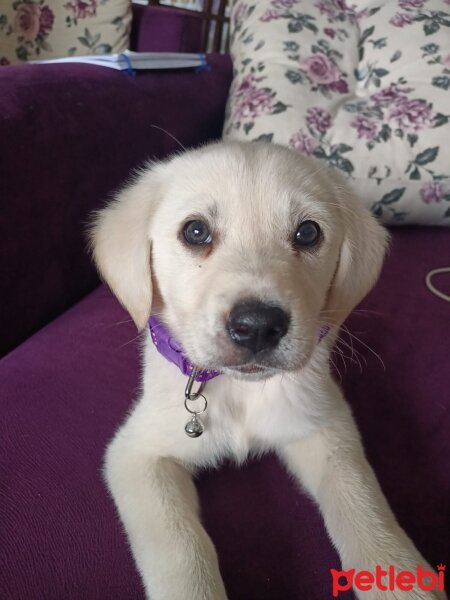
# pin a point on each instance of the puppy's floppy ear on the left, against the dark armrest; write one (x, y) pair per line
(120, 242)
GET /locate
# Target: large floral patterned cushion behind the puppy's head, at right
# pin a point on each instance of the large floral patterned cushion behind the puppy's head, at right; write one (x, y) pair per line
(364, 87)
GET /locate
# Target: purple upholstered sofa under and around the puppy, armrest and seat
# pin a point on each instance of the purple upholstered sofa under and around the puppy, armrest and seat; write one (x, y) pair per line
(68, 137)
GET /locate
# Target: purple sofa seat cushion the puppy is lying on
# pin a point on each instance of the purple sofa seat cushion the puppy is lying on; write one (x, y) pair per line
(65, 390)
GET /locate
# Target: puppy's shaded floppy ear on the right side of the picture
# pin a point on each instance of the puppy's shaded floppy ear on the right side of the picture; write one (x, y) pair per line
(361, 256)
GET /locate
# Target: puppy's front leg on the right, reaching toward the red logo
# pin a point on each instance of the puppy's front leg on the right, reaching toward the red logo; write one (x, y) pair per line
(332, 467)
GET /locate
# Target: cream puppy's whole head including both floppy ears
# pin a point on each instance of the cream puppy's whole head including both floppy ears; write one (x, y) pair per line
(245, 252)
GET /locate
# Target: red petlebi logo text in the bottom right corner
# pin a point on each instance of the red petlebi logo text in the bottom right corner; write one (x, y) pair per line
(388, 579)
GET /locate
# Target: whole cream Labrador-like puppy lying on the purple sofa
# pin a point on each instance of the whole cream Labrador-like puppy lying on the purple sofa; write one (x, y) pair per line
(250, 257)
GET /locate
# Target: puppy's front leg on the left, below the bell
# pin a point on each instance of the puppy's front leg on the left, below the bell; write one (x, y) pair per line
(157, 502)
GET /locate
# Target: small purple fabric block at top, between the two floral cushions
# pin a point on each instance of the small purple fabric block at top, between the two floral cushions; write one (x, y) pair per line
(161, 29)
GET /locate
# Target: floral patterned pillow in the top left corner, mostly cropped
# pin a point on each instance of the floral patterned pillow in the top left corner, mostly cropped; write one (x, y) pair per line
(40, 29)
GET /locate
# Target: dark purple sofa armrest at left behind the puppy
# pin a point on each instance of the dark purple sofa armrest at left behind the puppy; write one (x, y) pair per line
(69, 136)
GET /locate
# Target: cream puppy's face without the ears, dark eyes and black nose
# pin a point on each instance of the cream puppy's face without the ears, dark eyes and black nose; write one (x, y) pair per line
(244, 249)
